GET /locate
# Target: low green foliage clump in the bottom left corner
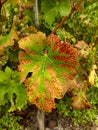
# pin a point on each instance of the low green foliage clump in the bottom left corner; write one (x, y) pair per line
(10, 122)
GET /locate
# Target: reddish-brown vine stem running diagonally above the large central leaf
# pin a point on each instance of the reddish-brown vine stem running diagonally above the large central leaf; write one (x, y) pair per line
(67, 17)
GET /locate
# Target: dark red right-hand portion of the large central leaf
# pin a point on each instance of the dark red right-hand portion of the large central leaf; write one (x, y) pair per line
(67, 54)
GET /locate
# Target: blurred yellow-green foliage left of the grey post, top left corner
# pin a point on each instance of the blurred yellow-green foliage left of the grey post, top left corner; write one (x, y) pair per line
(17, 16)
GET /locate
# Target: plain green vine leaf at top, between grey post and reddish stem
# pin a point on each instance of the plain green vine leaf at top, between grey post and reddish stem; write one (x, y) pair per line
(50, 9)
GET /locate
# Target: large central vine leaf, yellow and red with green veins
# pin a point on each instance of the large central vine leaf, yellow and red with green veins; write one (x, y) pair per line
(45, 66)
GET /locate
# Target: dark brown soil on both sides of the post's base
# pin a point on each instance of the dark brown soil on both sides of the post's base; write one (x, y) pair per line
(53, 121)
